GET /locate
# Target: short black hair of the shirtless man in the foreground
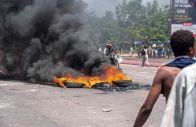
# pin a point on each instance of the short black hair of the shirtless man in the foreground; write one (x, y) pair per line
(181, 41)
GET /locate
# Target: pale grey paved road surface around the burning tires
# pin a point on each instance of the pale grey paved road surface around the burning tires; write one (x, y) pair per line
(23, 104)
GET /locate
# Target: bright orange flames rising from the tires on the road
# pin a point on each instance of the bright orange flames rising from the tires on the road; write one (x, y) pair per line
(111, 74)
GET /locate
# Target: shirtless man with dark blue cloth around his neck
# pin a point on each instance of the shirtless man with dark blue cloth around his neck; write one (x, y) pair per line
(184, 47)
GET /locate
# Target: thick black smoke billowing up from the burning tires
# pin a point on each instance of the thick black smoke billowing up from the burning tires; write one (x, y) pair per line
(46, 38)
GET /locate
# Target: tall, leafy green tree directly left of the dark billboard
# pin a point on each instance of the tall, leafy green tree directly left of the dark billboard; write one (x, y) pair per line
(147, 23)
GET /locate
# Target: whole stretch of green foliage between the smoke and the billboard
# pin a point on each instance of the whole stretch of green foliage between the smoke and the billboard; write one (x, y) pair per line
(134, 22)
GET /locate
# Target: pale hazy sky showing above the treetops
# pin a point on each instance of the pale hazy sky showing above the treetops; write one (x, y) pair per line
(101, 6)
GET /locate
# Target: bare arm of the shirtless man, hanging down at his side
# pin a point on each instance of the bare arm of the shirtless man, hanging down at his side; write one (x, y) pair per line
(146, 108)
